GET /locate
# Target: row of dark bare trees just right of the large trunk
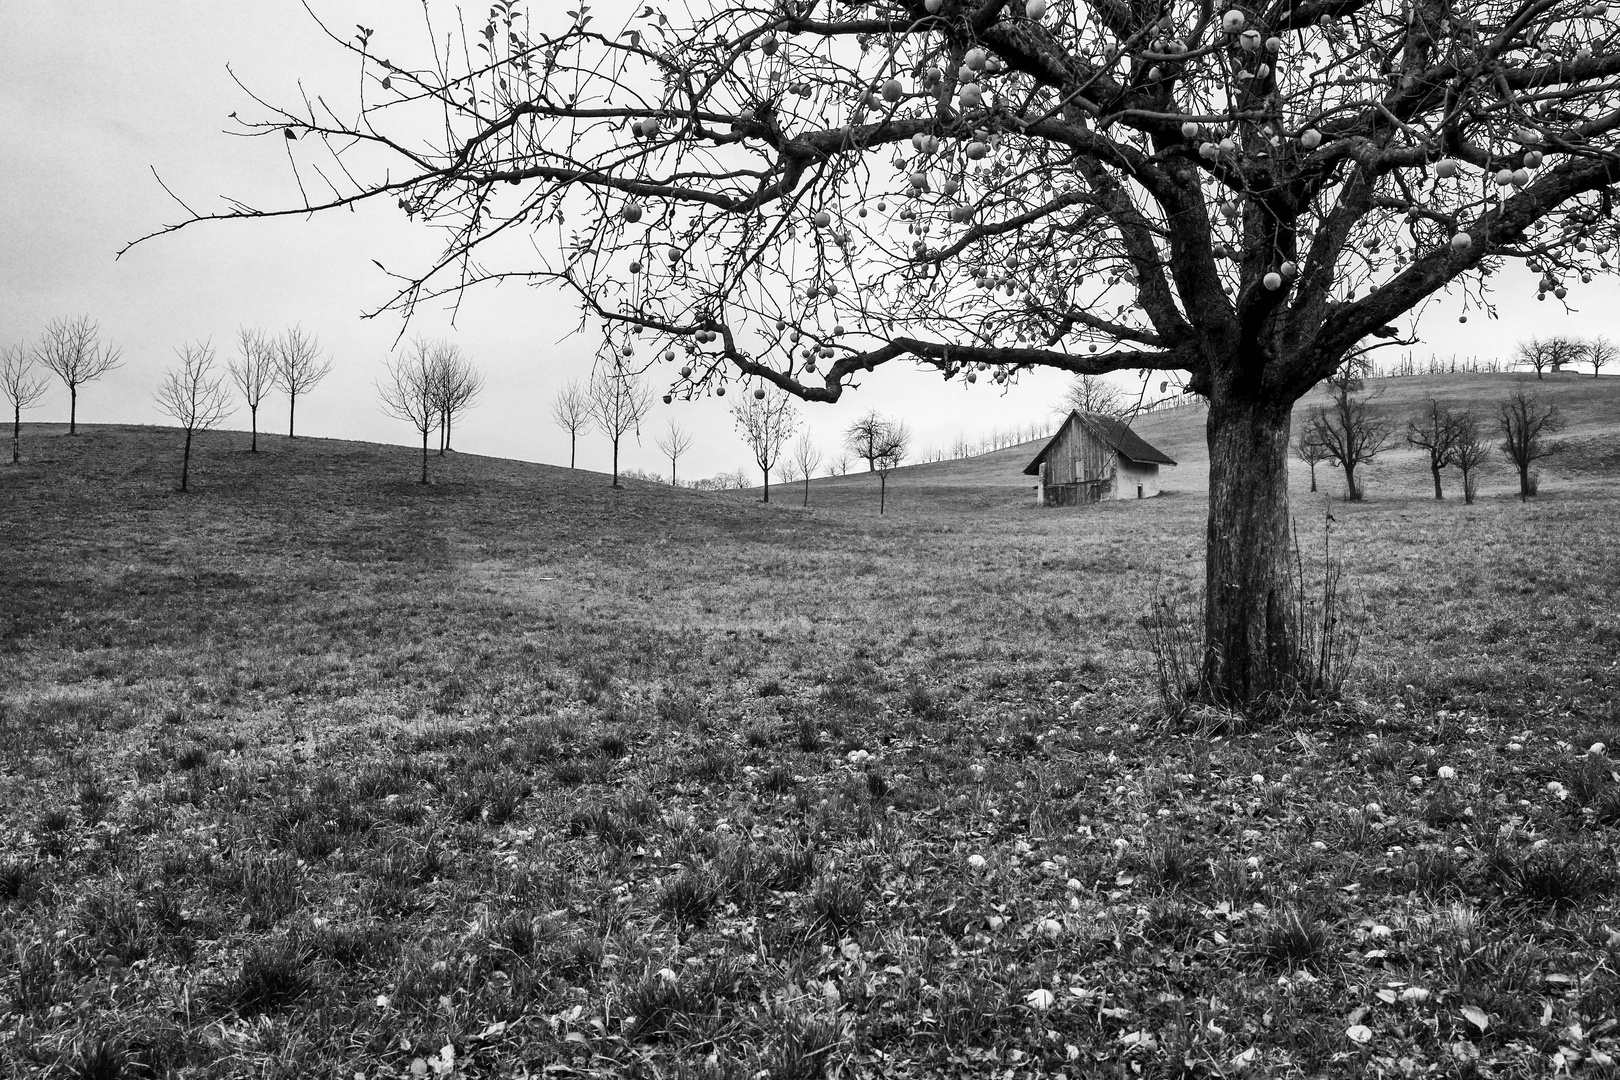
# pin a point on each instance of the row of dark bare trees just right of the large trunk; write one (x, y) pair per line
(1349, 433)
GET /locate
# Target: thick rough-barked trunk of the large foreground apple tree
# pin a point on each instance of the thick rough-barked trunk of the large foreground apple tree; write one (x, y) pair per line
(1251, 597)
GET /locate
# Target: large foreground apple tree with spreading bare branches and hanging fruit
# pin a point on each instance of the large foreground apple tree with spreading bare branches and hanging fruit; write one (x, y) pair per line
(799, 192)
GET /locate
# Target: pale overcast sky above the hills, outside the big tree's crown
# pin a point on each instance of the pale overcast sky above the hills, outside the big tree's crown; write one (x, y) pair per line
(98, 100)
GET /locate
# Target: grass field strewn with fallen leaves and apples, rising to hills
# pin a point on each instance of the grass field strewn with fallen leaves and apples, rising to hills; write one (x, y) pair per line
(317, 772)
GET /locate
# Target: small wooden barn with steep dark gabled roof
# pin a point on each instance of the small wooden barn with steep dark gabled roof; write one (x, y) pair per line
(1093, 459)
